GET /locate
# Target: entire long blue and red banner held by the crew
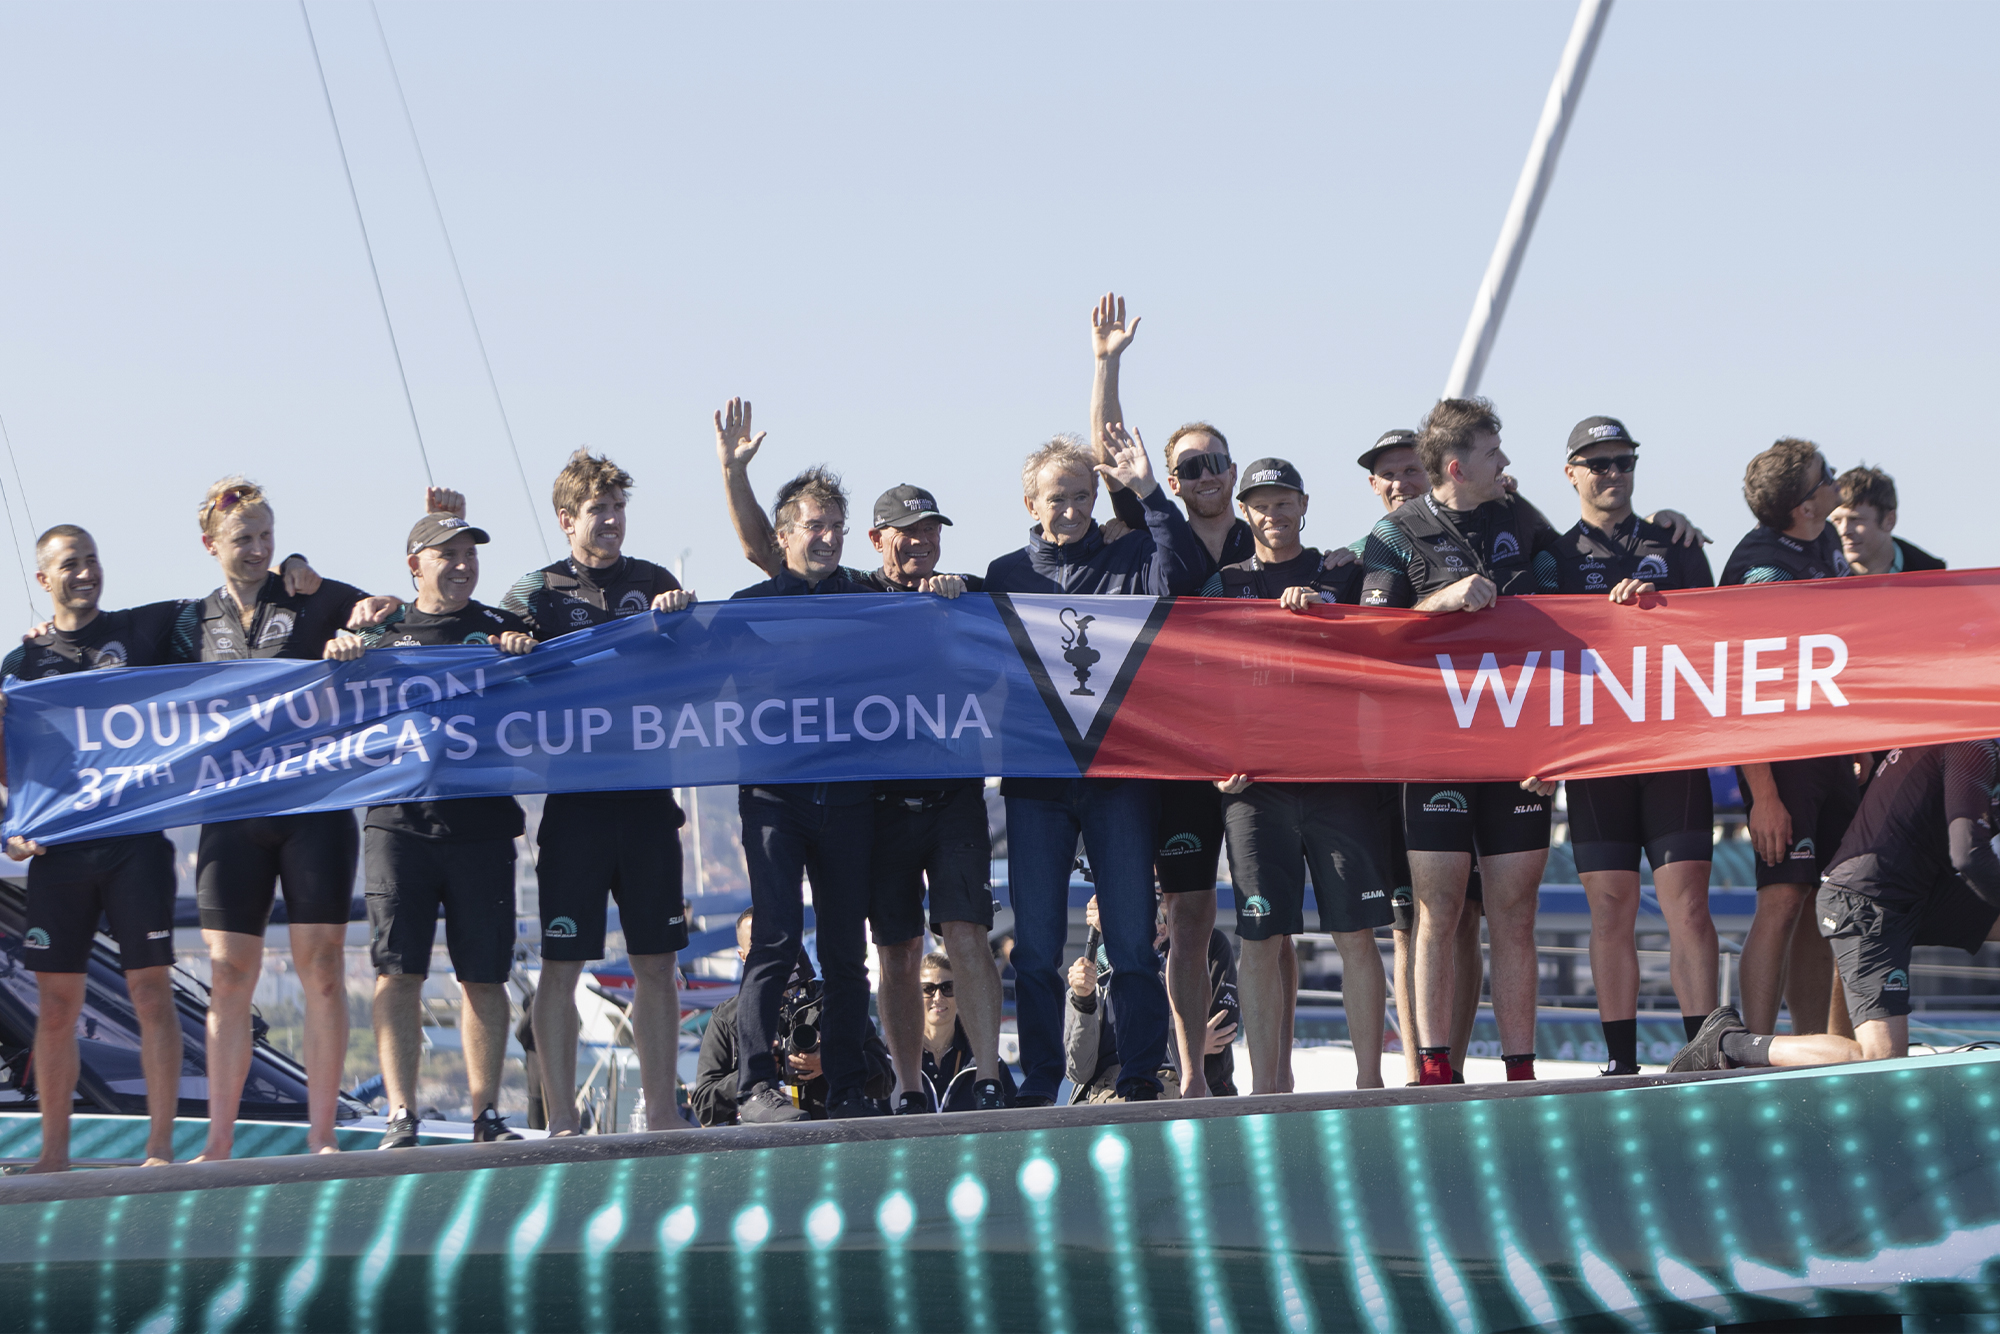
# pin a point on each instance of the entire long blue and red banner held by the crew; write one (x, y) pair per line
(911, 687)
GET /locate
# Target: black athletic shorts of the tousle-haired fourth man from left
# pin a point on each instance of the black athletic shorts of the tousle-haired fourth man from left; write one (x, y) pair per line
(593, 849)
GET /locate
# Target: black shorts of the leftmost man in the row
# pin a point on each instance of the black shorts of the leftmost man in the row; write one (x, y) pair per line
(71, 887)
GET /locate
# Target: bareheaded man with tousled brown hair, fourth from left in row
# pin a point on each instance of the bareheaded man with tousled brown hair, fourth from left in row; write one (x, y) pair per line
(595, 847)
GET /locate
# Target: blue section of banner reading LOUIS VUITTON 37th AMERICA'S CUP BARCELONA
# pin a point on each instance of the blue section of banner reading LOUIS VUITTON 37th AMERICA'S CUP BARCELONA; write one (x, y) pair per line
(759, 693)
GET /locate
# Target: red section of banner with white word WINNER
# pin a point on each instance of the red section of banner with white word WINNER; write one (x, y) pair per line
(1563, 687)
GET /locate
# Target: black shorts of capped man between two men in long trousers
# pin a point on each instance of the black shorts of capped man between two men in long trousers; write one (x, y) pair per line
(935, 845)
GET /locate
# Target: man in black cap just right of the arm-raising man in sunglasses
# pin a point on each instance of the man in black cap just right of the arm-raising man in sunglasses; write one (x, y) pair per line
(1283, 831)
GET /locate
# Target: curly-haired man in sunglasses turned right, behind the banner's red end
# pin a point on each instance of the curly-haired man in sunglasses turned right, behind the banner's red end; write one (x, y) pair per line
(1799, 811)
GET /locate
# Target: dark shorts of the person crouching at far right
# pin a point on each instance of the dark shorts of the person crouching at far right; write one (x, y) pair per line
(1873, 939)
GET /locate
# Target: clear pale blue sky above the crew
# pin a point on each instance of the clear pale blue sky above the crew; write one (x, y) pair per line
(887, 227)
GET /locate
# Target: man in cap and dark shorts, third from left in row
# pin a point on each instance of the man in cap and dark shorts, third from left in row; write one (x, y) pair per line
(455, 855)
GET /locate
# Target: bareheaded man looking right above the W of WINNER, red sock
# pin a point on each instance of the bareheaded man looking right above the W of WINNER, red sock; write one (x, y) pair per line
(1459, 549)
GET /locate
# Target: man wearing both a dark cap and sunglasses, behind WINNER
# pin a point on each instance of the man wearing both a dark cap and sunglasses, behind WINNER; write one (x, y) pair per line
(1671, 817)
